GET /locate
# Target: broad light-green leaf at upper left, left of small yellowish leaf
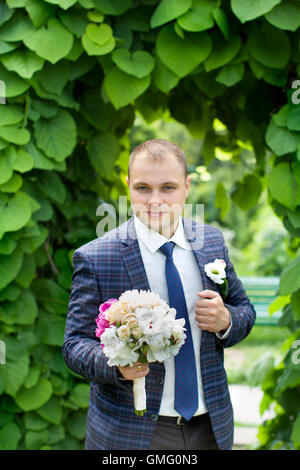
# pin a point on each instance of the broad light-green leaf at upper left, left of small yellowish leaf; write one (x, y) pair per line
(52, 42)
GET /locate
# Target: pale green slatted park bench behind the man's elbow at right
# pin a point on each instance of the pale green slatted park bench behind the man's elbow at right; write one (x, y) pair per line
(262, 291)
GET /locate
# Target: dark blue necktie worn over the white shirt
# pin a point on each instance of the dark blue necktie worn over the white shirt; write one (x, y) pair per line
(186, 387)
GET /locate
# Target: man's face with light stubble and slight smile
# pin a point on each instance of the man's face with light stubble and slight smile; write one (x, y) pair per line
(158, 190)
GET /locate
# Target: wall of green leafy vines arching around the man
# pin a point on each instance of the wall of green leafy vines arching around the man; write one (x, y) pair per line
(75, 74)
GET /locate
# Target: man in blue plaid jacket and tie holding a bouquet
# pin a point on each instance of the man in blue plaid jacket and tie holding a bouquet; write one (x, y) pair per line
(134, 256)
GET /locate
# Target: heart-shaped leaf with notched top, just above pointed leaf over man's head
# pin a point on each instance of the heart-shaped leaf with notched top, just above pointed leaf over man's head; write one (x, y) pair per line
(139, 64)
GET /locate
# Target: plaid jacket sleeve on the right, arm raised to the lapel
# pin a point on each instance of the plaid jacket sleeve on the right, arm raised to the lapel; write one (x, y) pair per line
(240, 308)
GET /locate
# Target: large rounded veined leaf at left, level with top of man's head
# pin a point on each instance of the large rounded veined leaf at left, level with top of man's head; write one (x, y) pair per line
(56, 136)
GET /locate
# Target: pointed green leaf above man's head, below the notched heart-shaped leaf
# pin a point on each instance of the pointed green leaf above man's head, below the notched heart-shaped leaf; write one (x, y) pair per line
(132, 87)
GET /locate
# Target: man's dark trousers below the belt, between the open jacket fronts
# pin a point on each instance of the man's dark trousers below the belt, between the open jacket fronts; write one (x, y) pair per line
(196, 434)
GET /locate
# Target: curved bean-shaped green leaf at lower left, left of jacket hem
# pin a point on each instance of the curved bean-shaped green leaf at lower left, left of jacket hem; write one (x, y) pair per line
(35, 397)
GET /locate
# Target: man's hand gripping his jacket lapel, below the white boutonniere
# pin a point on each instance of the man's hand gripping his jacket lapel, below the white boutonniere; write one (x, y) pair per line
(211, 313)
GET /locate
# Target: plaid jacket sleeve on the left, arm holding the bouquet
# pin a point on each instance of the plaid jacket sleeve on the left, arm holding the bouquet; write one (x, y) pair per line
(81, 348)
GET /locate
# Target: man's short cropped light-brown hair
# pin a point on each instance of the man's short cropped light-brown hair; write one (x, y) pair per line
(157, 149)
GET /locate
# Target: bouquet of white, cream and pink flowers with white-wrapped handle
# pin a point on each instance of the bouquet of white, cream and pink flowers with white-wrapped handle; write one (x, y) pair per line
(139, 326)
